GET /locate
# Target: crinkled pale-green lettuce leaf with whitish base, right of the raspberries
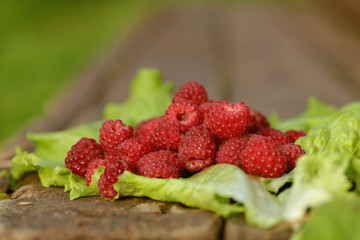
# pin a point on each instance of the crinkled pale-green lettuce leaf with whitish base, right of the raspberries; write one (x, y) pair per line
(329, 167)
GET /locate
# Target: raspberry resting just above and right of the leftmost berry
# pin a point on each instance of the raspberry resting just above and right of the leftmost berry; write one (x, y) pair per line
(113, 133)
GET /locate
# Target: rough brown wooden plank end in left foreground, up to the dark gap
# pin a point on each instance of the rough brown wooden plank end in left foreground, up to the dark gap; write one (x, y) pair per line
(35, 212)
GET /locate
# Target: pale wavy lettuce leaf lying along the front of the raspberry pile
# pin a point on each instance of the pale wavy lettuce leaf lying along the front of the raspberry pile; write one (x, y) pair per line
(211, 189)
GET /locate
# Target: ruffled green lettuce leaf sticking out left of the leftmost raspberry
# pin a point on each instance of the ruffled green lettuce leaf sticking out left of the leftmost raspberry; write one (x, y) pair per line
(51, 150)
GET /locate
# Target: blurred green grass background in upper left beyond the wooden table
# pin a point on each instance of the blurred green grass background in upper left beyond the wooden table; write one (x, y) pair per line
(44, 44)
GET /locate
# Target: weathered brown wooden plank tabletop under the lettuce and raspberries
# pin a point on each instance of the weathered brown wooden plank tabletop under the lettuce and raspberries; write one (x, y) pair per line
(271, 57)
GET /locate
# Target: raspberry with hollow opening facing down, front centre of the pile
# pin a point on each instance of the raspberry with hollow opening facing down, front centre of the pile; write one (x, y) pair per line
(197, 144)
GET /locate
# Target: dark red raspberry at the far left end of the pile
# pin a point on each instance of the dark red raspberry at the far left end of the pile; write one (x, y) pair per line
(81, 154)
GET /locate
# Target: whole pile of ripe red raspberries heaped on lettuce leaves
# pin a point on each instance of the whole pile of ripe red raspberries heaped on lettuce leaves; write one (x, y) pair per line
(193, 134)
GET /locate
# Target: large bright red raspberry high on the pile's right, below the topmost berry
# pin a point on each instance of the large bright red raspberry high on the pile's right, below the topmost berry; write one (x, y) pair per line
(227, 120)
